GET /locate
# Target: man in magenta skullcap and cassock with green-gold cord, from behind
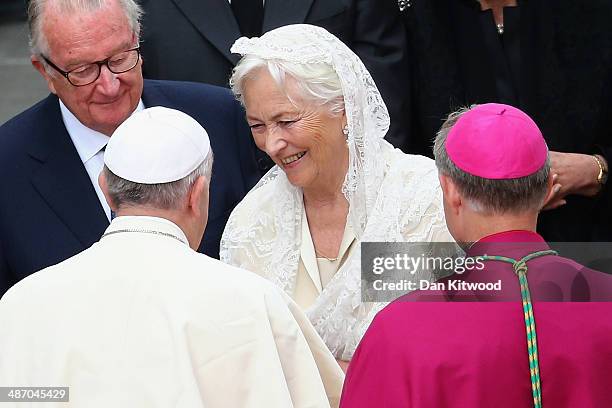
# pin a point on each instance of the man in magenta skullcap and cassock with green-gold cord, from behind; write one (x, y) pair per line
(542, 339)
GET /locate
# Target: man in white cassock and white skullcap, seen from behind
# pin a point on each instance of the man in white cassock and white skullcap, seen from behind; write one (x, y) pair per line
(141, 319)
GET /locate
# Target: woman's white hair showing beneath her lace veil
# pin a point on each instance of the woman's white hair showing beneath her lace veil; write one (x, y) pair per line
(317, 83)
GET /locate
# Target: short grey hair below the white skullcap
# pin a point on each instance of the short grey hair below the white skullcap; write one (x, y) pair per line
(166, 196)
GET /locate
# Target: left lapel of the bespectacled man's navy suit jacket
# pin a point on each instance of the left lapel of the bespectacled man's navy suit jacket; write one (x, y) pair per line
(62, 180)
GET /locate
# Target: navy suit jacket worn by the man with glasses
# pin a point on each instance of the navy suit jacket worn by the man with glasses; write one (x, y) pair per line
(49, 210)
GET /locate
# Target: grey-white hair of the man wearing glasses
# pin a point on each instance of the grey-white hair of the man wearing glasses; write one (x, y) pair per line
(36, 9)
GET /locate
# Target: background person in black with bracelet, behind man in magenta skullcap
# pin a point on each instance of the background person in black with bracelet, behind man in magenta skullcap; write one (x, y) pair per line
(553, 60)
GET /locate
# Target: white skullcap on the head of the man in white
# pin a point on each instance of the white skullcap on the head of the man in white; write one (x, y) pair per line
(156, 145)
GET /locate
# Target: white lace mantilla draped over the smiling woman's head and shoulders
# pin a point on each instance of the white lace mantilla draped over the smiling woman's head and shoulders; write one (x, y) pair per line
(392, 196)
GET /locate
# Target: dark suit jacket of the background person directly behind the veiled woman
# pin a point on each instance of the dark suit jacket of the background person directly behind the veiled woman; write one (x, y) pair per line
(190, 40)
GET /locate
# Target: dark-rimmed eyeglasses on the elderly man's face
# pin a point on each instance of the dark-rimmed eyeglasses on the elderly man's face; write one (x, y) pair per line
(87, 74)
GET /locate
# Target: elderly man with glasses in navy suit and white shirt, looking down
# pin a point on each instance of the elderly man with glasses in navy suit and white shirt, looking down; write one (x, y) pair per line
(51, 206)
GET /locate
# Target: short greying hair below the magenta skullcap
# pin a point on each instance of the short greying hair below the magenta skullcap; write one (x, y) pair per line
(488, 195)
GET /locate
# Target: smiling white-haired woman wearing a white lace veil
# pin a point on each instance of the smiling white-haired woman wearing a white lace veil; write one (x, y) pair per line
(288, 78)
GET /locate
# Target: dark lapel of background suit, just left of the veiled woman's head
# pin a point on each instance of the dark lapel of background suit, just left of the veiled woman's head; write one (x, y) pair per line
(215, 21)
